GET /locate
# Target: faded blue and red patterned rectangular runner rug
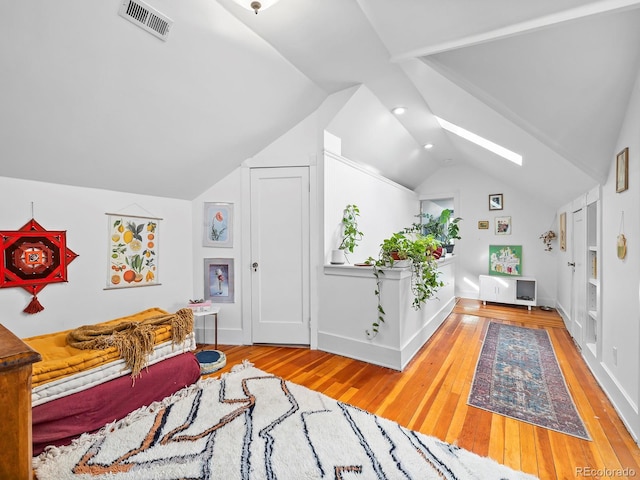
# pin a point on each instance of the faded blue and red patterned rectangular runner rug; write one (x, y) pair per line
(518, 376)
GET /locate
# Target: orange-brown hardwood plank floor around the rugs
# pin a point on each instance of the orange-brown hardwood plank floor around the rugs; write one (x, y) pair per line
(430, 395)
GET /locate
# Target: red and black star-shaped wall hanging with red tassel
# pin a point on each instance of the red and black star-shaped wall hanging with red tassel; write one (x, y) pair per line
(33, 258)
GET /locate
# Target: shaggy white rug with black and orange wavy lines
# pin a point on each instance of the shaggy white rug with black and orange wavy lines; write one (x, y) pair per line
(252, 425)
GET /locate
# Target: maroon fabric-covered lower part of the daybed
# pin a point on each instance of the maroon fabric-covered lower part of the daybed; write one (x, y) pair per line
(59, 421)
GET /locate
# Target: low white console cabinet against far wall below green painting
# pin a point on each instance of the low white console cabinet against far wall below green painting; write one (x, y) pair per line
(514, 290)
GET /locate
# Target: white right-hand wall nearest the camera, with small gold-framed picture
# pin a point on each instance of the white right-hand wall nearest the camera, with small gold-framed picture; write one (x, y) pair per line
(621, 278)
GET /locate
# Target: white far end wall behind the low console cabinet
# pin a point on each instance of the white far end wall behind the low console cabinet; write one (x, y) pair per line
(530, 218)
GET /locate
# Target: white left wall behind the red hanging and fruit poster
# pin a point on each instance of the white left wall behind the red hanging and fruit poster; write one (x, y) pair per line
(81, 212)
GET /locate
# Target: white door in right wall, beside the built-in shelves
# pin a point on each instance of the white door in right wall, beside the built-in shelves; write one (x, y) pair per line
(578, 303)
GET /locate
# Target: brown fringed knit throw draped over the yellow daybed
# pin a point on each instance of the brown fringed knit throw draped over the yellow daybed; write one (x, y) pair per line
(134, 340)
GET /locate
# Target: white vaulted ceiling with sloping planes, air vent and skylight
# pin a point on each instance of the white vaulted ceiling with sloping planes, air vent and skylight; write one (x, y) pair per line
(90, 99)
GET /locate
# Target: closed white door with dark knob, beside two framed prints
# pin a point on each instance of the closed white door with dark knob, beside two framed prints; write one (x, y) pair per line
(280, 308)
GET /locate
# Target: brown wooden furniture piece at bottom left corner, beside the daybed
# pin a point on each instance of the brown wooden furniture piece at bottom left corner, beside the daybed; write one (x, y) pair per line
(16, 358)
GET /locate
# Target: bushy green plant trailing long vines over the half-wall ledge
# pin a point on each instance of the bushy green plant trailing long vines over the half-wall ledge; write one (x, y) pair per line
(419, 252)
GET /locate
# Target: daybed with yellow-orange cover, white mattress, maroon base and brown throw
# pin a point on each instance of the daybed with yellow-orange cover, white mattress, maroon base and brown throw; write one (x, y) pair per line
(97, 374)
